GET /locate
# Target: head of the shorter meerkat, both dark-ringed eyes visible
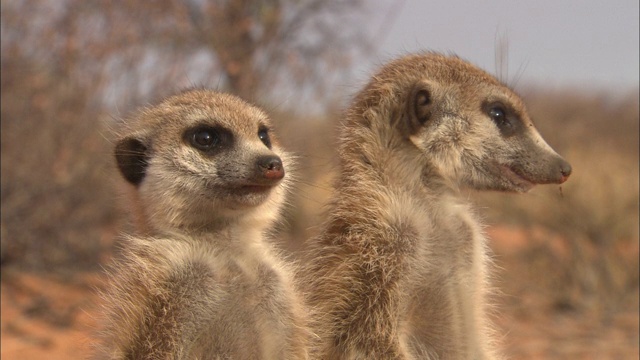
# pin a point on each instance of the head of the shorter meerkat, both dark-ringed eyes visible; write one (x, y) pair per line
(200, 157)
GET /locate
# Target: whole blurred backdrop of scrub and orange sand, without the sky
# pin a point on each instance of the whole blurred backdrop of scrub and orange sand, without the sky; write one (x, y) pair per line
(566, 257)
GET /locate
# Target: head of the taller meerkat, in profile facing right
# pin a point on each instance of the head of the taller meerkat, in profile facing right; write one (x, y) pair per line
(473, 129)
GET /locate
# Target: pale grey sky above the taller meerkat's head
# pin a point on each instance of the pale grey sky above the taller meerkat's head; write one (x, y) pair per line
(554, 43)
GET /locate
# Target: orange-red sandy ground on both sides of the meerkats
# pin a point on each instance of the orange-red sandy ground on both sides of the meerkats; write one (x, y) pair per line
(52, 318)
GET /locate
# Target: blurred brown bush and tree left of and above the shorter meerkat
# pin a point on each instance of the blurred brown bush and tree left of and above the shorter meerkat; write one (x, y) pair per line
(72, 67)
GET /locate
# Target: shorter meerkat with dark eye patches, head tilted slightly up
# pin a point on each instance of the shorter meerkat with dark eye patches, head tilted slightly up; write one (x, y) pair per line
(202, 283)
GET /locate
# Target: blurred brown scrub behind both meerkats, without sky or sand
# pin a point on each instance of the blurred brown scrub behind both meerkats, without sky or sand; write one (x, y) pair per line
(72, 66)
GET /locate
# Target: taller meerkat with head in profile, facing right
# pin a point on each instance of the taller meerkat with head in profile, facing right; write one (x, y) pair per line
(399, 270)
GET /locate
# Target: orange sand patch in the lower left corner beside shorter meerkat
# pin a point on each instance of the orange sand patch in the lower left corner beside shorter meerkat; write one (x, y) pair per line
(48, 318)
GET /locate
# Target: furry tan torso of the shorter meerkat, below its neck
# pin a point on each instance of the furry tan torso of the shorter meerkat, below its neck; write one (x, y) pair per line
(194, 290)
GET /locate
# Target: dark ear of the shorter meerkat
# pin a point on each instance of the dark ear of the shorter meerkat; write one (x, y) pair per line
(131, 157)
